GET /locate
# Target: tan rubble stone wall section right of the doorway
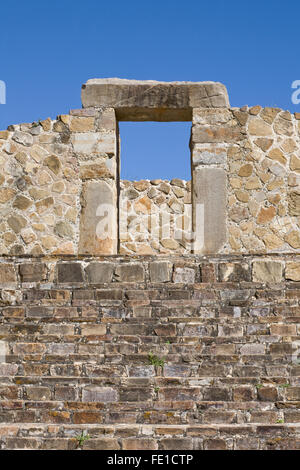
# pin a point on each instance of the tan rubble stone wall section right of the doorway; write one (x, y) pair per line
(255, 153)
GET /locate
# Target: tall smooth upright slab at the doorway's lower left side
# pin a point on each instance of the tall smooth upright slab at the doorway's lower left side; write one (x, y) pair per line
(98, 220)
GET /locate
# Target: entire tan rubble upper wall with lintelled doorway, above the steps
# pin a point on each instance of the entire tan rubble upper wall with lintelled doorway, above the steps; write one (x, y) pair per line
(60, 190)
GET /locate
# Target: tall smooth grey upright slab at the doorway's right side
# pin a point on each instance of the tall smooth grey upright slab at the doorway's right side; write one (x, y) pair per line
(209, 209)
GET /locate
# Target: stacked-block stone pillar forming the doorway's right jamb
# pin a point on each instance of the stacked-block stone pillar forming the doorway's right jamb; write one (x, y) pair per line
(209, 138)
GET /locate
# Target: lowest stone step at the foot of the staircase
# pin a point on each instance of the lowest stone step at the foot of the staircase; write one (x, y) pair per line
(153, 437)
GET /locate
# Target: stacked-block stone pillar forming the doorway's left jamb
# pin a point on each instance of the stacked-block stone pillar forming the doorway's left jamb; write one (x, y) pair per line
(97, 155)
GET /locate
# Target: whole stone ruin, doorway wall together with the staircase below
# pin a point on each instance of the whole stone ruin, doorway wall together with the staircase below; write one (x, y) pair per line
(151, 314)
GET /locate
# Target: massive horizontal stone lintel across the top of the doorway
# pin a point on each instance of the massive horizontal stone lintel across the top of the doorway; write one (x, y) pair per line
(137, 99)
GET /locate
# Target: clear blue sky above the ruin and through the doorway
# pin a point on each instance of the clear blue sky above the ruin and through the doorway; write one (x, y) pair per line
(49, 48)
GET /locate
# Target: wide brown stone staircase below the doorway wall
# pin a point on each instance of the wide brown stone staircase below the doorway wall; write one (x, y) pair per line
(150, 353)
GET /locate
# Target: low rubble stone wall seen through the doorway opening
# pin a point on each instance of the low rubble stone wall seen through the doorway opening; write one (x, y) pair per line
(155, 217)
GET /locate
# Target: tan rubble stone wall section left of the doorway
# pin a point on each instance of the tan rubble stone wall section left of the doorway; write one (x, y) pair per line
(49, 169)
